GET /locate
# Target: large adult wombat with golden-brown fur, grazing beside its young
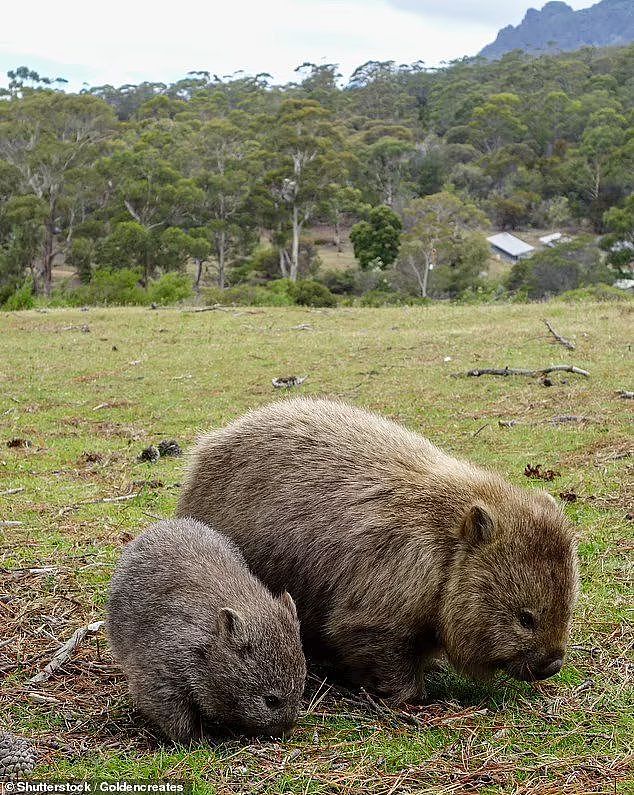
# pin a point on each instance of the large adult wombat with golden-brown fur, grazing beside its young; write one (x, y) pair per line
(394, 551)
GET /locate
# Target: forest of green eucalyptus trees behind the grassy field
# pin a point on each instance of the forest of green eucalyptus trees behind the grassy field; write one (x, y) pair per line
(229, 175)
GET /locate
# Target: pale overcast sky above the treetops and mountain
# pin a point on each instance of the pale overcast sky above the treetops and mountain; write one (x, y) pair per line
(123, 41)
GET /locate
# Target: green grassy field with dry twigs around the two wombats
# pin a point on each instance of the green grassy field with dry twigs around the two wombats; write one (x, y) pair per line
(89, 390)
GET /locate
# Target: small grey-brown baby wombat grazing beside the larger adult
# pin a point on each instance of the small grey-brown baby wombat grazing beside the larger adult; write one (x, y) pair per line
(200, 639)
